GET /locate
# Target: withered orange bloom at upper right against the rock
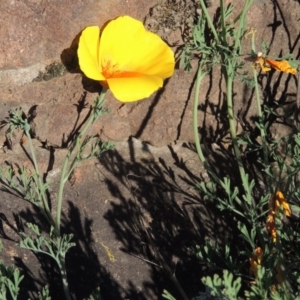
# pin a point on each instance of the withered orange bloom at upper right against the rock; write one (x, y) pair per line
(266, 64)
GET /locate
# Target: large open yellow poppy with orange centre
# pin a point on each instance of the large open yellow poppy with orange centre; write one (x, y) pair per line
(131, 61)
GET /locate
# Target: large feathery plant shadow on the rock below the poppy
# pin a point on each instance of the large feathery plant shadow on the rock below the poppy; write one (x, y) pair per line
(162, 218)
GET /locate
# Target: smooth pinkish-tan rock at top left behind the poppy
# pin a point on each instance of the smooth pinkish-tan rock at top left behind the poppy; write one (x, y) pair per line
(37, 30)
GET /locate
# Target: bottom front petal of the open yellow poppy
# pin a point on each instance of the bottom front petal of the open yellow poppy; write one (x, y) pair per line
(128, 89)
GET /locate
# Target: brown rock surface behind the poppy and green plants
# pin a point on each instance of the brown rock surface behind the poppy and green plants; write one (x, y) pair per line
(138, 201)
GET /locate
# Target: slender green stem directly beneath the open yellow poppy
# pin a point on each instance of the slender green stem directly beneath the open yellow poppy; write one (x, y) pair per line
(64, 172)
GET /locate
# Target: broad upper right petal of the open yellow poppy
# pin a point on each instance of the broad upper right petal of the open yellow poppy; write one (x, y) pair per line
(135, 49)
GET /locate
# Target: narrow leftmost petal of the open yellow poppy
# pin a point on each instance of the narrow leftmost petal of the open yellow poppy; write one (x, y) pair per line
(88, 52)
